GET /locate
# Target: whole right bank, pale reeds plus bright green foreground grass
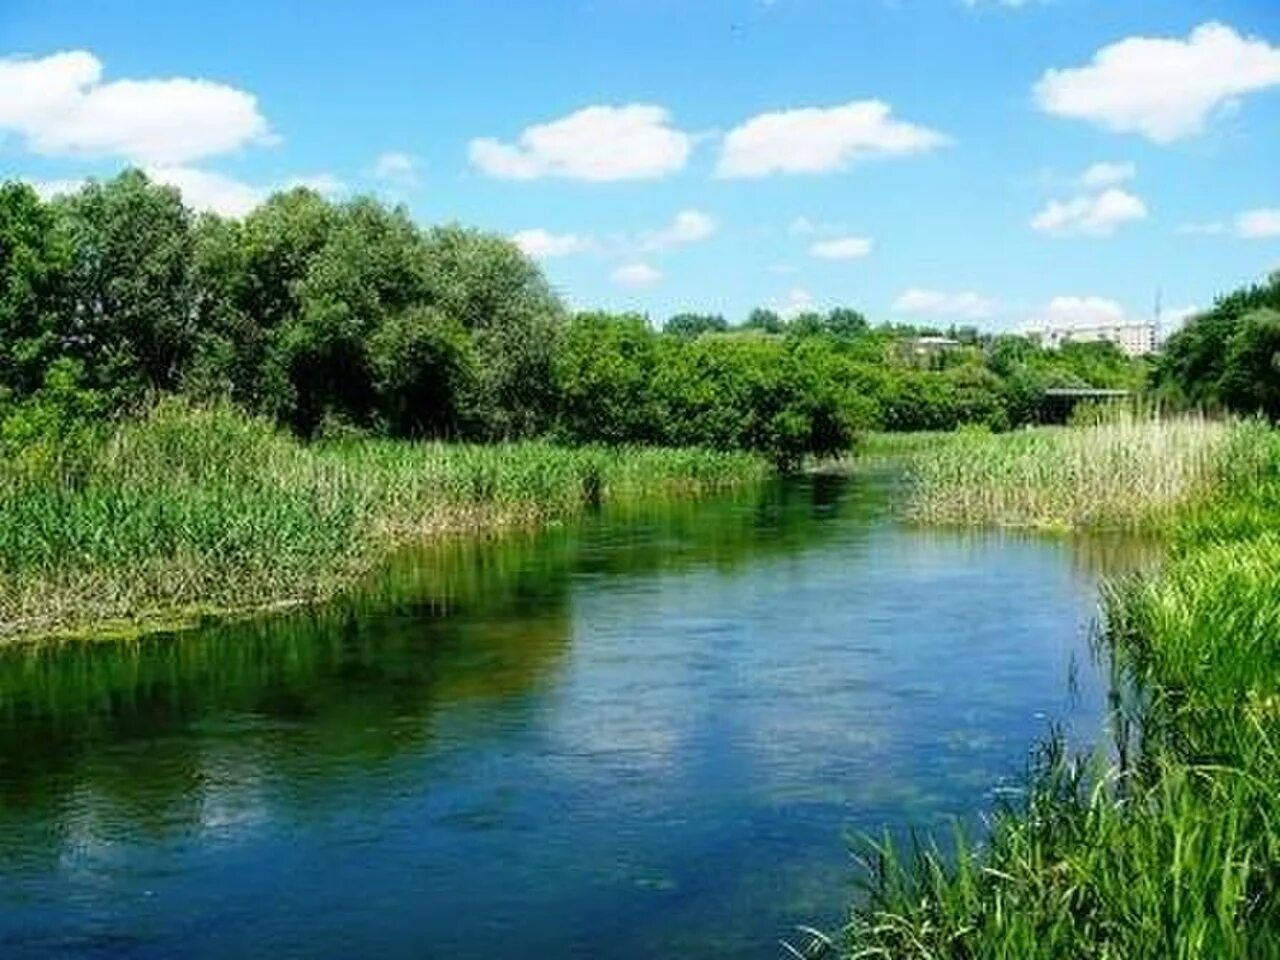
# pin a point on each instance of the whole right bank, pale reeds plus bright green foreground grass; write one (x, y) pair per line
(1176, 853)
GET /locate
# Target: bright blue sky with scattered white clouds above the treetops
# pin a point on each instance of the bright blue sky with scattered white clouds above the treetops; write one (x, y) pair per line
(989, 162)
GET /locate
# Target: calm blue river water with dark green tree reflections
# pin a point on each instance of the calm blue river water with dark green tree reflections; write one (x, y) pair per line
(648, 734)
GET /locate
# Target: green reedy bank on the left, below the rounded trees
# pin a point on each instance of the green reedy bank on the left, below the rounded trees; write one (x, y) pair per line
(190, 511)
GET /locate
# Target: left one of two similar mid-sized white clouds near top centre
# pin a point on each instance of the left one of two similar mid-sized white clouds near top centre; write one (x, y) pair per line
(596, 144)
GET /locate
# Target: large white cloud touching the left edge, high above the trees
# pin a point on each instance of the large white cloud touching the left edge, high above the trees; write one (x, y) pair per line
(60, 106)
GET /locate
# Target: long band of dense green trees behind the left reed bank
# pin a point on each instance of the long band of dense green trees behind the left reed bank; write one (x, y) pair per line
(349, 318)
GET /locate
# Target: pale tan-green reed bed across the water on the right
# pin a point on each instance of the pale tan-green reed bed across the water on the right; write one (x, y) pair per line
(1126, 474)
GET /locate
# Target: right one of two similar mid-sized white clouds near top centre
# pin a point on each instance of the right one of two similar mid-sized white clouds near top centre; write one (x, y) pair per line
(820, 140)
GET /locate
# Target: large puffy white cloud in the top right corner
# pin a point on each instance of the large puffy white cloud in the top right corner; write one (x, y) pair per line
(1162, 89)
